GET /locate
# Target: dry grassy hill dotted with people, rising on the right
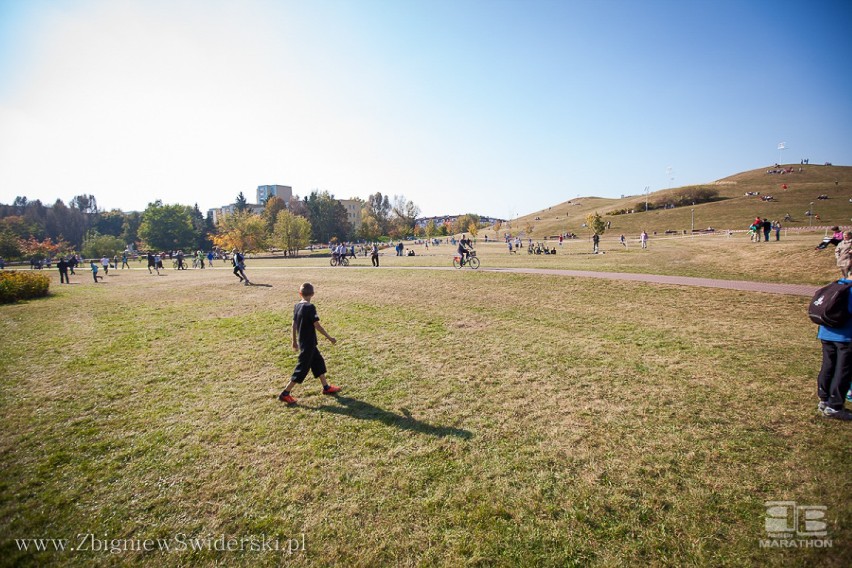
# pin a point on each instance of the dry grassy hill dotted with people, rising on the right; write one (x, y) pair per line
(735, 210)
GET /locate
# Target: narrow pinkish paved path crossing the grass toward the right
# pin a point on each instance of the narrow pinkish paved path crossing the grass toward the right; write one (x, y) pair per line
(767, 287)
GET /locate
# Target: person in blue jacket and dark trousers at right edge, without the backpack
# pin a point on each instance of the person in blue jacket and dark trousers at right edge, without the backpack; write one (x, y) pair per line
(835, 376)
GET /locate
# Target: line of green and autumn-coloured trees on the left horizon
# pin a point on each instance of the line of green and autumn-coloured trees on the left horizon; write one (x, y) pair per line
(31, 229)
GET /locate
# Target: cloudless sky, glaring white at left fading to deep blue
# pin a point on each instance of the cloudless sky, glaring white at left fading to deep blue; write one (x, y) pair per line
(499, 107)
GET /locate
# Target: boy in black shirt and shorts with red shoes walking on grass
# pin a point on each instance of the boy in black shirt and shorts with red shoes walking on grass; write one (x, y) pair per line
(305, 327)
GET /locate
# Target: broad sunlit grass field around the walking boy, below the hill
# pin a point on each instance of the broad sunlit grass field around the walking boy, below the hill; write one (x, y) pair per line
(486, 419)
